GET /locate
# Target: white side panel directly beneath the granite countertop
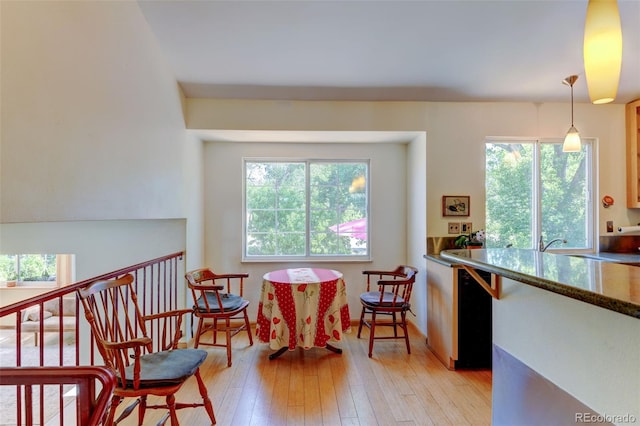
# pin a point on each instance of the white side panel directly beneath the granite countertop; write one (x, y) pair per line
(590, 352)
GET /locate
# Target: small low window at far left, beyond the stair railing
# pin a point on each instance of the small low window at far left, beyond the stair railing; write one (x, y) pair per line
(36, 269)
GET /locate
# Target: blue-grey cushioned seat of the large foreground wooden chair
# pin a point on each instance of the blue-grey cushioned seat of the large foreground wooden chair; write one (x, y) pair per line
(166, 368)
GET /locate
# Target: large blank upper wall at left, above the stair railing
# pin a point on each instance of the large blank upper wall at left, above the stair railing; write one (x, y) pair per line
(92, 125)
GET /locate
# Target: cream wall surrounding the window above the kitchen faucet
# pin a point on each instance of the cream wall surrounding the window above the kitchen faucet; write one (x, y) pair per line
(456, 150)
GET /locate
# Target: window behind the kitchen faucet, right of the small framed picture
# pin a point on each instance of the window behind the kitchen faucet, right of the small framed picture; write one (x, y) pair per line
(534, 189)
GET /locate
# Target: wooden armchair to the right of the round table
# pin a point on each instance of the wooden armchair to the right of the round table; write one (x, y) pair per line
(391, 299)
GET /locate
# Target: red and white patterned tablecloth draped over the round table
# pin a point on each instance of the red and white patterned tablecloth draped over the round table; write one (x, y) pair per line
(304, 307)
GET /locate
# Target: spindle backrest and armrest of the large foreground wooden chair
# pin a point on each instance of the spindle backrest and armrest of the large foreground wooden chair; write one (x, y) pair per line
(118, 326)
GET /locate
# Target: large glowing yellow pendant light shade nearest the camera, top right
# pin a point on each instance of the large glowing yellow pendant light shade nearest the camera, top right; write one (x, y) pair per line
(602, 50)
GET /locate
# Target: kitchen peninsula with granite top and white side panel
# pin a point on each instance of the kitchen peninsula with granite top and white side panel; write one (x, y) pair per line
(565, 337)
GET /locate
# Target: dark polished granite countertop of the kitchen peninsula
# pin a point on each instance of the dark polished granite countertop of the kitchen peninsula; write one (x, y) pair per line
(610, 285)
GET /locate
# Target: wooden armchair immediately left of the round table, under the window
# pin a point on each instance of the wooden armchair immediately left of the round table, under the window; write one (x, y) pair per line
(219, 306)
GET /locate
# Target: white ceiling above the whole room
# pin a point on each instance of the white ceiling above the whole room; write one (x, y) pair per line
(477, 50)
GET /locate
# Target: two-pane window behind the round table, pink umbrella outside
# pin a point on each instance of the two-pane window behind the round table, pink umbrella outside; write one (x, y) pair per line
(306, 209)
